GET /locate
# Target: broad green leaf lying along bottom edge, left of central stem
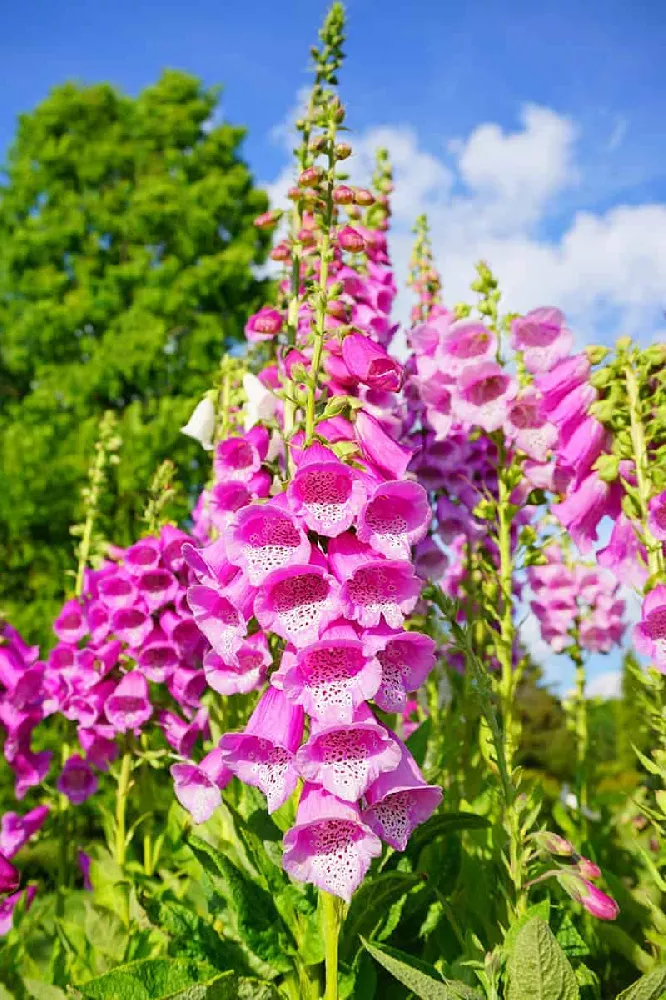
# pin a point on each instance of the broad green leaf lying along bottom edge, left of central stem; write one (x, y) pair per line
(162, 979)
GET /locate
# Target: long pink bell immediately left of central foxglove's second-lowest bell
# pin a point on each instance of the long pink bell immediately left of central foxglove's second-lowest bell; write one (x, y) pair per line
(263, 755)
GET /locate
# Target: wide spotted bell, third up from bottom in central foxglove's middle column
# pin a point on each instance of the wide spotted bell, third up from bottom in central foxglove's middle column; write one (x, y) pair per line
(330, 678)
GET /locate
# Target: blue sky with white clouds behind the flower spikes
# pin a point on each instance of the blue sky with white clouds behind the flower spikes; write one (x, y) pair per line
(531, 133)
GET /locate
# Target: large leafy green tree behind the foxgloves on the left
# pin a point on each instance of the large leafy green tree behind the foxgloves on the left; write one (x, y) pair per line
(127, 253)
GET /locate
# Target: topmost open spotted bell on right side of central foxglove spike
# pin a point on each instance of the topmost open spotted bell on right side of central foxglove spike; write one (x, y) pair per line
(395, 518)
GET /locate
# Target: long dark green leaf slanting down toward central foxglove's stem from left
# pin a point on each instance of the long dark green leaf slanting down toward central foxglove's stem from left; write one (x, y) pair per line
(258, 922)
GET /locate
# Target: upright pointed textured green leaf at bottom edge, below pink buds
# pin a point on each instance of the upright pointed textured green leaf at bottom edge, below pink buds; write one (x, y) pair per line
(538, 969)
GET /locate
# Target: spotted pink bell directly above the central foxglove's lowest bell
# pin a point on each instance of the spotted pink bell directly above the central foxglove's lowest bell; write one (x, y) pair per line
(345, 760)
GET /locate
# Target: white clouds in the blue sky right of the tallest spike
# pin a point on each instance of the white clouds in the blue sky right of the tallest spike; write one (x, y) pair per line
(491, 195)
